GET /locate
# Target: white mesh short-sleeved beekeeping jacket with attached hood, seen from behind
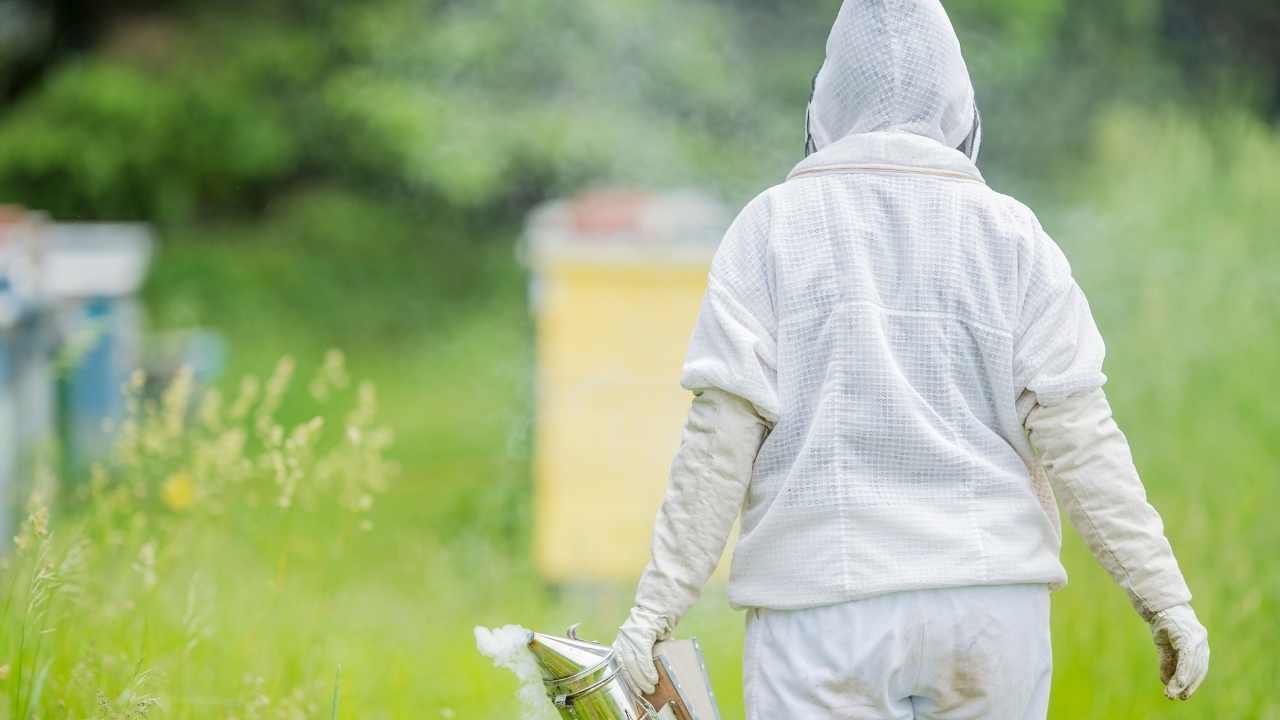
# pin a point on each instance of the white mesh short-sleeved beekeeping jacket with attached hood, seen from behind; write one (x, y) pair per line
(886, 309)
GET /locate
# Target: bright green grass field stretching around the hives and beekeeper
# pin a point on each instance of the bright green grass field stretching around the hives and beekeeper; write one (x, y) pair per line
(253, 612)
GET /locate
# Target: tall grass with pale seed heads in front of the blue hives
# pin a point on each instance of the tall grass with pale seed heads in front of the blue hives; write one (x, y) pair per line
(158, 587)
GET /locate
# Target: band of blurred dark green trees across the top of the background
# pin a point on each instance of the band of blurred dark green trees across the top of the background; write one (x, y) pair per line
(171, 111)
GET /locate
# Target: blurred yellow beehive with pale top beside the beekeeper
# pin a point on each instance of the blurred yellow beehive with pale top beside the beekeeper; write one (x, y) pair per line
(618, 282)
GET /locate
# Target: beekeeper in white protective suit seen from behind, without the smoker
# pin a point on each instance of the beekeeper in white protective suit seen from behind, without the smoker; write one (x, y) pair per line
(894, 376)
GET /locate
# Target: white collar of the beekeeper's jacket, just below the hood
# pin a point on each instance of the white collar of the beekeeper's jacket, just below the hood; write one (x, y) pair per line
(889, 152)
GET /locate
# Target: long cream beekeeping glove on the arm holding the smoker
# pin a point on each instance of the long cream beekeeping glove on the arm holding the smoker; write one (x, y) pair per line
(708, 485)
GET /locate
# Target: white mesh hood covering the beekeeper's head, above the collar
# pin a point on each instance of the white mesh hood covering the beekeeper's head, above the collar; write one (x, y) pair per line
(894, 66)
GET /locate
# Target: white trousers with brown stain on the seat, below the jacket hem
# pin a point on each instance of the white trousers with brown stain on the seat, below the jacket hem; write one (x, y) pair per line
(958, 654)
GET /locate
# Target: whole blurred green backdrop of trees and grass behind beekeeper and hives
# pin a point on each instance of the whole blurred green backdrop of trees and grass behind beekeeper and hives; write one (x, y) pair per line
(354, 175)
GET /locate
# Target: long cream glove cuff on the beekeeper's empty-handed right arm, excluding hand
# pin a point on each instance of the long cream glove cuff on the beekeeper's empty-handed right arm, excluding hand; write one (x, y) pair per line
(1090, 467)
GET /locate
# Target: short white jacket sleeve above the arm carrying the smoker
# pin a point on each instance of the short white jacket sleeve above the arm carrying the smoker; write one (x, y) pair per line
(734, 345)
